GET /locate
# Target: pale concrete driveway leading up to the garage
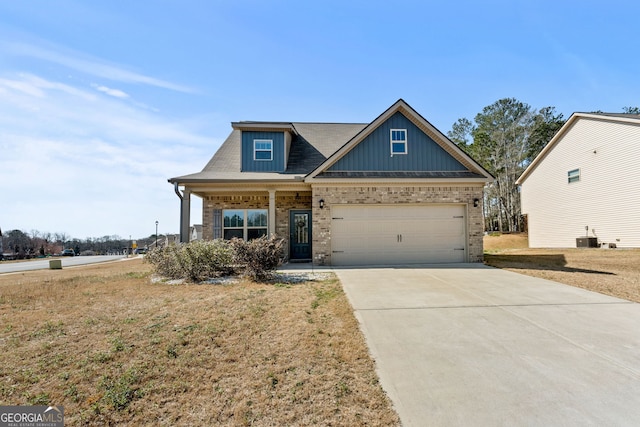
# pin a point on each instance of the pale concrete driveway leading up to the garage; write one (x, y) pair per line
(473, 345)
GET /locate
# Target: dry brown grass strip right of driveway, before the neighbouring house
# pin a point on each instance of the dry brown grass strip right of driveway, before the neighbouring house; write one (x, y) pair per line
(613, 272)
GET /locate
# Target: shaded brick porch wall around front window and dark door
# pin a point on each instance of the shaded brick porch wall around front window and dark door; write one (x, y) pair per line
(285, 201)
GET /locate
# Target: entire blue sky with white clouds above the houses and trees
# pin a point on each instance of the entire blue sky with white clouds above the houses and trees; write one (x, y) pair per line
(102, 101)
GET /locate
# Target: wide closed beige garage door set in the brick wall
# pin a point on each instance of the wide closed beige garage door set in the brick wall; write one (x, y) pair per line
(369, 235)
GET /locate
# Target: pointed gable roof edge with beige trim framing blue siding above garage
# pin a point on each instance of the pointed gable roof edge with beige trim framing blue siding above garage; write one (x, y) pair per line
(474, 169)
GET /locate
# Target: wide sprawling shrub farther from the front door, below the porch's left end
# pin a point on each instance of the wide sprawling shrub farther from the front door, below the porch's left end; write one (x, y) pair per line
(196, 261)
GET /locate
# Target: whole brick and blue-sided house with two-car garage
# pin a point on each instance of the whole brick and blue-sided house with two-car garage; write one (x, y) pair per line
(393, 191)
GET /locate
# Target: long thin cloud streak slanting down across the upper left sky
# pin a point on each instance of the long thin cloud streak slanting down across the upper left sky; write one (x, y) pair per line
(86, 64)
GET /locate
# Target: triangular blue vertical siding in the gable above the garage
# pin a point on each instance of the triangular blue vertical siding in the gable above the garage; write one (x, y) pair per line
(374, 152)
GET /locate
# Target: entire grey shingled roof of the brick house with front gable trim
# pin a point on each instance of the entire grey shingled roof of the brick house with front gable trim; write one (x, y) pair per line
(317, 146)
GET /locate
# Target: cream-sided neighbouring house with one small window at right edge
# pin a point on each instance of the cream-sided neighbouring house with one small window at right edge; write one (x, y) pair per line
(587, 176)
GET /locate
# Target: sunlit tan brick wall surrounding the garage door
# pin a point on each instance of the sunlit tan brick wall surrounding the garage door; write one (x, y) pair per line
(394, 195)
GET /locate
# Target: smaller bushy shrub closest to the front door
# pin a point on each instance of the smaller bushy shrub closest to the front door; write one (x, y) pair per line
(259, 257)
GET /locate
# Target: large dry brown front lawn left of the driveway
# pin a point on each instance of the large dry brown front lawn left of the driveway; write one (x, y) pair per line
(116, 349)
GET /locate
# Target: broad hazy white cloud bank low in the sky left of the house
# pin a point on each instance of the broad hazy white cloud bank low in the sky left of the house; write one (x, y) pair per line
(90, 165)
